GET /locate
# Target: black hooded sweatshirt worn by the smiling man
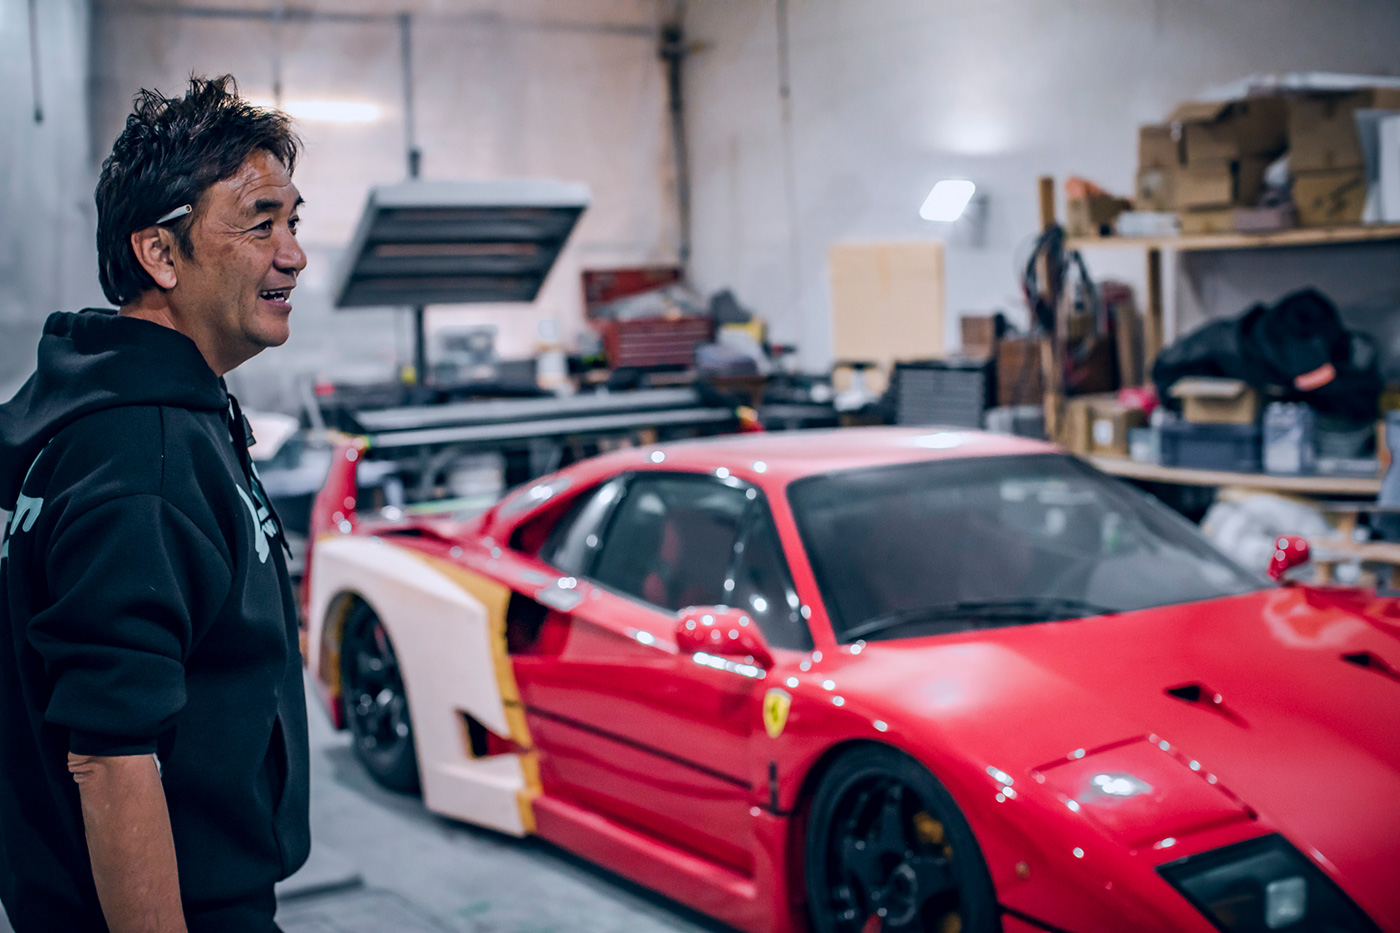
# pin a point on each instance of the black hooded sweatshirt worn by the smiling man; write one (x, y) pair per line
(145, 607)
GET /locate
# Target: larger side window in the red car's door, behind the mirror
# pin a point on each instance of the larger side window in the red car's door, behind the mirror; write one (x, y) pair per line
(673, 540)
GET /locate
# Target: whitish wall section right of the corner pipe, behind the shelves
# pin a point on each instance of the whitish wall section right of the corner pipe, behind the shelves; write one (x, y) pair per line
(890, 96)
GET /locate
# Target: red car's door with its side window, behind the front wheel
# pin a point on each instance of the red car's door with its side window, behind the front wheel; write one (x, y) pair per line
(626, 725)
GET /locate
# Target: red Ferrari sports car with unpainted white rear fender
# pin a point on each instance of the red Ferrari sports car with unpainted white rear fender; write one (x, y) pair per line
(876, 680)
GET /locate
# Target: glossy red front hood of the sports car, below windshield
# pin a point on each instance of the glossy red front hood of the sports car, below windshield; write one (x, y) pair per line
(1282, 705)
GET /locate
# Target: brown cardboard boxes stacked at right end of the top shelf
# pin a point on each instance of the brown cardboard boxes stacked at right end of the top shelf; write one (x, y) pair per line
(1325, 155)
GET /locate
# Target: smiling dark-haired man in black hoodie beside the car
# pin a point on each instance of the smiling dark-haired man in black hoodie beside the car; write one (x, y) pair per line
(153, 728)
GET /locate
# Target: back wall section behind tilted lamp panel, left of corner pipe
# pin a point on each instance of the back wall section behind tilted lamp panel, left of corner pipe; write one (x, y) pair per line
(562, 89)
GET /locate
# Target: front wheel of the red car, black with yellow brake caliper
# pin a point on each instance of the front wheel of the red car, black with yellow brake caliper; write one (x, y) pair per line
(890, 852)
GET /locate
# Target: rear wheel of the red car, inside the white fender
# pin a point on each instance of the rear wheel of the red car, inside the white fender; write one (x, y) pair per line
(376, 705)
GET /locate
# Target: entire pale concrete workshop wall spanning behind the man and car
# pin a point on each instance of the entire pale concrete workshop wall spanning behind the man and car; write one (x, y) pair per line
(885, 99)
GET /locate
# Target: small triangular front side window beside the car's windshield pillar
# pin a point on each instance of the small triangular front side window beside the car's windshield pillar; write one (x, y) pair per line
(762, 586)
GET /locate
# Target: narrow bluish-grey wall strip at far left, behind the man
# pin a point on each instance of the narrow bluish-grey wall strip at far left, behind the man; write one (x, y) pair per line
(47, 216)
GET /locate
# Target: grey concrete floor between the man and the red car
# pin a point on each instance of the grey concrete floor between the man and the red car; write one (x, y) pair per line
(381, 862)
